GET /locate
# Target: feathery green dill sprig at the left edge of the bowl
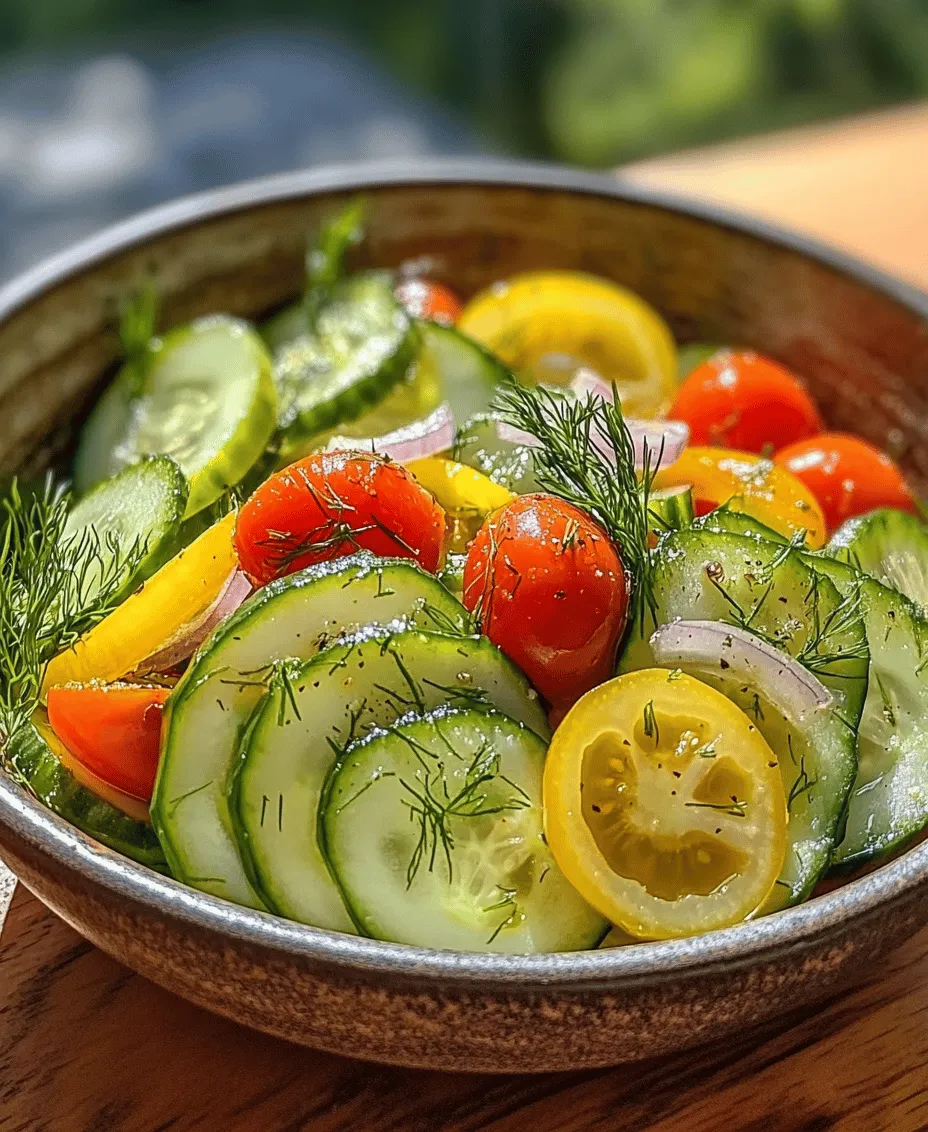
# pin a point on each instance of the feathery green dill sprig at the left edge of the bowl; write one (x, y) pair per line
(55, 586)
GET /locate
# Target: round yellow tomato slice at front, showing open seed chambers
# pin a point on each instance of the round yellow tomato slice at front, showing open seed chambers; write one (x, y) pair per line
(664, 807)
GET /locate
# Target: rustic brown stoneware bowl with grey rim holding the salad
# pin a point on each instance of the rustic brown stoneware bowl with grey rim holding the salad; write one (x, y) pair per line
(862, 341)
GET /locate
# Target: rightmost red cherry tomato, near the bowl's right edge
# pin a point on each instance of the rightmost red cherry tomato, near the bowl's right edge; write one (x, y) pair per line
(847, 476)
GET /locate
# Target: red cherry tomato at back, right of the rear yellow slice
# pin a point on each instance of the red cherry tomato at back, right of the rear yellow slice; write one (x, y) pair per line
(741, 400)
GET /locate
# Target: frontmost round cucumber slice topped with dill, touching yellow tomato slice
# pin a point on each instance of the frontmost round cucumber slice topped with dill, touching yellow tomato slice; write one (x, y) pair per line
(433, 830)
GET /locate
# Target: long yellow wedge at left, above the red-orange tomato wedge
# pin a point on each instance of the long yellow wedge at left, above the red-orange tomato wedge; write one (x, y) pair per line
(178, 596)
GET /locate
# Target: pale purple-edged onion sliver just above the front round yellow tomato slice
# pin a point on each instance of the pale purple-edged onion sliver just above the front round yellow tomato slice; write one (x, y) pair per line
(724, 650)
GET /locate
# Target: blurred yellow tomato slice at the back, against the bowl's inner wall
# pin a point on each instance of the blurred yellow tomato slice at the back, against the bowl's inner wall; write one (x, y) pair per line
(547, 325)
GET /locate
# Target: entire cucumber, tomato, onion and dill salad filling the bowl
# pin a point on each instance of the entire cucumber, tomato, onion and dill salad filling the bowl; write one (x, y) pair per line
(501, 625)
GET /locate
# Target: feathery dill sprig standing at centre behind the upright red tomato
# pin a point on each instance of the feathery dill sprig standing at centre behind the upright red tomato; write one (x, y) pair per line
(587, 457)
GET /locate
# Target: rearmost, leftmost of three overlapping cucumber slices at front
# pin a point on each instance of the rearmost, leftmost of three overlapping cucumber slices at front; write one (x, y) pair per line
(204, 718)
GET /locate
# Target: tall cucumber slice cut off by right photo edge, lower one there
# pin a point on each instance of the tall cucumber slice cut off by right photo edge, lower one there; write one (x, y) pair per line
(889, 802)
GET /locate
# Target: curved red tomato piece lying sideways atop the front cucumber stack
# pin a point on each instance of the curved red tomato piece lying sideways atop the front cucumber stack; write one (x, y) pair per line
(332, 504)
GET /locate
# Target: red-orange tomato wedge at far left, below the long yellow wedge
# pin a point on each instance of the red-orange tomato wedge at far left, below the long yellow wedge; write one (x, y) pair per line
(115, 732)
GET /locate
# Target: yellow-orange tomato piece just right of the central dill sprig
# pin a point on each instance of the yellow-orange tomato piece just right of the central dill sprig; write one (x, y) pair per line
(751, 485)
